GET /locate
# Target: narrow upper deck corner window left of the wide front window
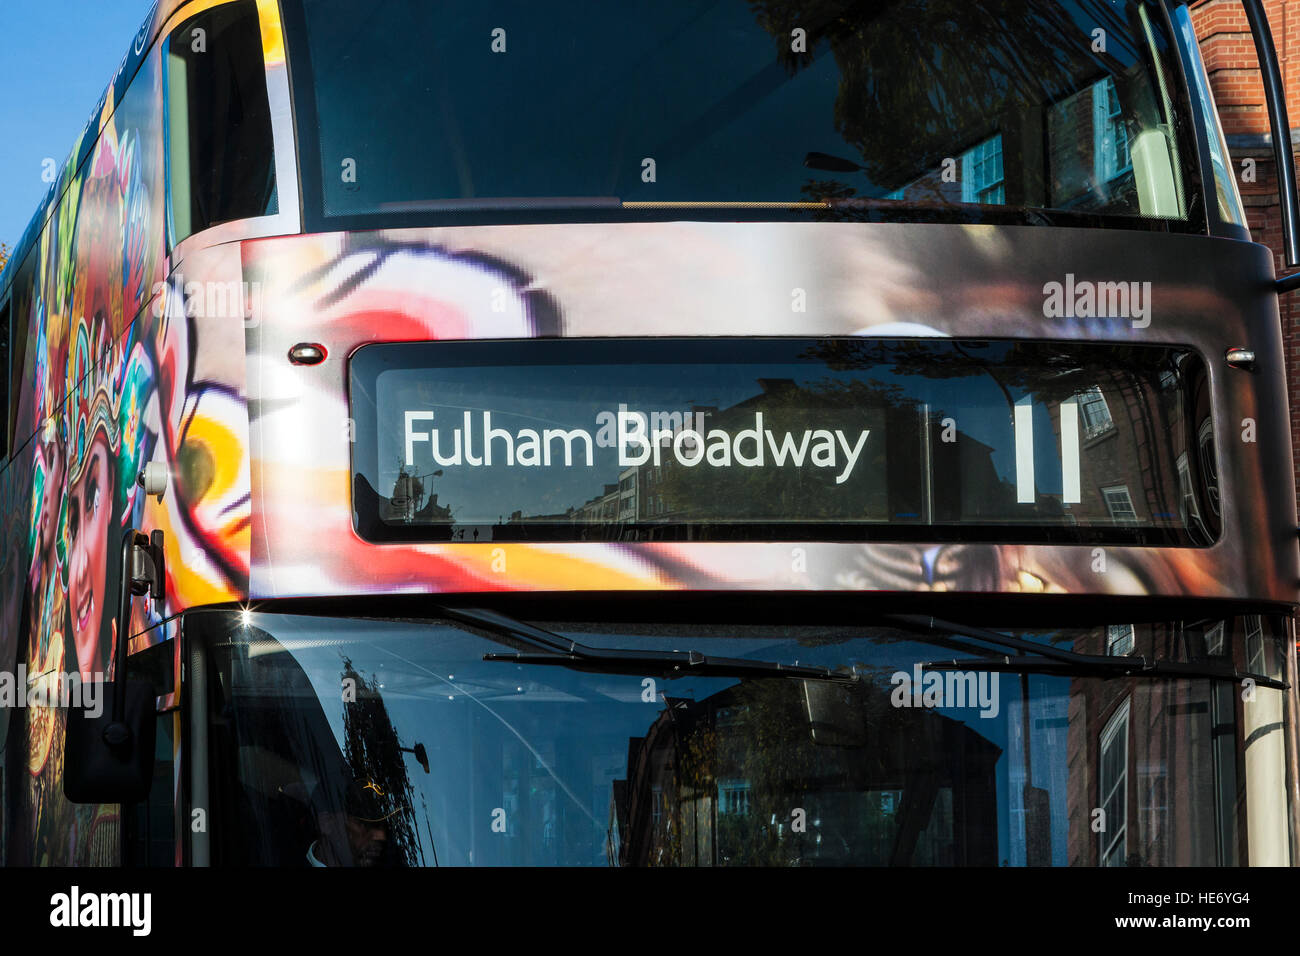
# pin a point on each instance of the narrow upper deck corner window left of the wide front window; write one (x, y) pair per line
(222, 159)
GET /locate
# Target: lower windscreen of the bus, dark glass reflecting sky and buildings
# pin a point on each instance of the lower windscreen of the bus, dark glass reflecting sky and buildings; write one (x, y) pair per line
(441, 758)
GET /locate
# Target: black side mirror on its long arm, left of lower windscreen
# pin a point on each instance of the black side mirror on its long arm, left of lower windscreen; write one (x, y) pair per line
(109, 759)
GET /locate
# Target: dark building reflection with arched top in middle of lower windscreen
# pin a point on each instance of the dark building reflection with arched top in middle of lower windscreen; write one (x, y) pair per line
(842, 778)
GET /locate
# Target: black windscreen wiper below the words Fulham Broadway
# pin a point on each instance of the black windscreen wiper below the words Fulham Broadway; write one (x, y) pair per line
(556, 650)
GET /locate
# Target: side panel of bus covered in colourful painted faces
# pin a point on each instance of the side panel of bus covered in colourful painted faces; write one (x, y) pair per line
(88, 382)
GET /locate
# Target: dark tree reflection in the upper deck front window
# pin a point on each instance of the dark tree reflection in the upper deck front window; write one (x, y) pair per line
(920, 83)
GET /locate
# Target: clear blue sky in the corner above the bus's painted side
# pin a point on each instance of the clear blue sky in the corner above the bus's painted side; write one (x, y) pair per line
(57, 58)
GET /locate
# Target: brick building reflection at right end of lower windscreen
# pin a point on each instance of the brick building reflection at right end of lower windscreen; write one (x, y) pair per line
(1172, 793)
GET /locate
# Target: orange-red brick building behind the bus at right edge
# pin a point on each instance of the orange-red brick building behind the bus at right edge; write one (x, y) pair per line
(1233, 67)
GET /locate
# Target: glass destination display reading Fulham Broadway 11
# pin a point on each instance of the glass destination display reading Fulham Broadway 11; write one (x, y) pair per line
(783, 439)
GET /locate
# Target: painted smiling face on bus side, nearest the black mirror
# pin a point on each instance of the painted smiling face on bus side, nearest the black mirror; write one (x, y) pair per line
(88, 526)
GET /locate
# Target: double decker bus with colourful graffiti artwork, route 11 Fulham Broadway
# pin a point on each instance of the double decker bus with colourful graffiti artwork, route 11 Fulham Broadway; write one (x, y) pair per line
(677, 434)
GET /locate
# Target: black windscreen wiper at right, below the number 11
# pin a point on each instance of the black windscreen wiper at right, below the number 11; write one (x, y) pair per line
(1048, 660)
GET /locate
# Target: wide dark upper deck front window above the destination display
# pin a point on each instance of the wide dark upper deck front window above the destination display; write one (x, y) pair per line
(471, 109)
